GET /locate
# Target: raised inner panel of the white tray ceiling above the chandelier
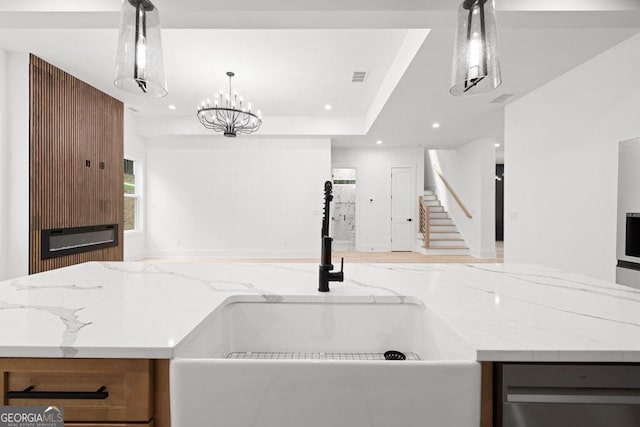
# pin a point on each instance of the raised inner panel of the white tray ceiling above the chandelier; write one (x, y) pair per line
(283, 72)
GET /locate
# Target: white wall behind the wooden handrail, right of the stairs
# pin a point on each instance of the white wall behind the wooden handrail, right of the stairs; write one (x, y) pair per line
(470, 170)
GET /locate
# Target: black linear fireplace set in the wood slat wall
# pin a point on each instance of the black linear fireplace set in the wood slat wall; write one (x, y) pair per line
(69, 241)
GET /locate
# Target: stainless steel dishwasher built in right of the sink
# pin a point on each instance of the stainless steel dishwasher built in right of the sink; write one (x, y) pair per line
(567, 395)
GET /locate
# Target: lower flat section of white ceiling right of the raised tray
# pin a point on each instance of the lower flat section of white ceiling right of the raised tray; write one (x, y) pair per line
(529, 58)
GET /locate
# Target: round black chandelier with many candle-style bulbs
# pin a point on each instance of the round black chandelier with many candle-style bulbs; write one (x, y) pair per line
(229, 114)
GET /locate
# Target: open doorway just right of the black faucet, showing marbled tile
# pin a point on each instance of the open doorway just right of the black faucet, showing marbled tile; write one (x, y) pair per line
(344, 209)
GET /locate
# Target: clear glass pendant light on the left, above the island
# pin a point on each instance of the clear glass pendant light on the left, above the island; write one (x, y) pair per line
(139, 64)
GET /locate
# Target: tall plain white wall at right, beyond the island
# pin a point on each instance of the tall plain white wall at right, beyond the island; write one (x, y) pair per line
(561, 145)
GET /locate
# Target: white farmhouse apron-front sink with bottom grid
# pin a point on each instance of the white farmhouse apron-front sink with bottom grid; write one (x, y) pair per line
(207, 388)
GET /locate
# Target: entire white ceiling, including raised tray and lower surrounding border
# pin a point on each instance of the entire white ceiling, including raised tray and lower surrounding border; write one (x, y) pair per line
(293, 57)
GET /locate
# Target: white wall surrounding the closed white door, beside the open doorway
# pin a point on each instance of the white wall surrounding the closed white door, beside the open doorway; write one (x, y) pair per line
(373, 181)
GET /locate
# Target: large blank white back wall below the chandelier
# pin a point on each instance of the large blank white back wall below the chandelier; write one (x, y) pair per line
(243, 197)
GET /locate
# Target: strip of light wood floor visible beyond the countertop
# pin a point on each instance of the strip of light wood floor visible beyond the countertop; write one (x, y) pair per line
(351, 257)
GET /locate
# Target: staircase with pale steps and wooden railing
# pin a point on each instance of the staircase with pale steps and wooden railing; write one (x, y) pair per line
(444, 237)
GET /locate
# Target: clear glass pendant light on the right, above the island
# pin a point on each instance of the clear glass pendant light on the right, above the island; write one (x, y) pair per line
(476, 65)
